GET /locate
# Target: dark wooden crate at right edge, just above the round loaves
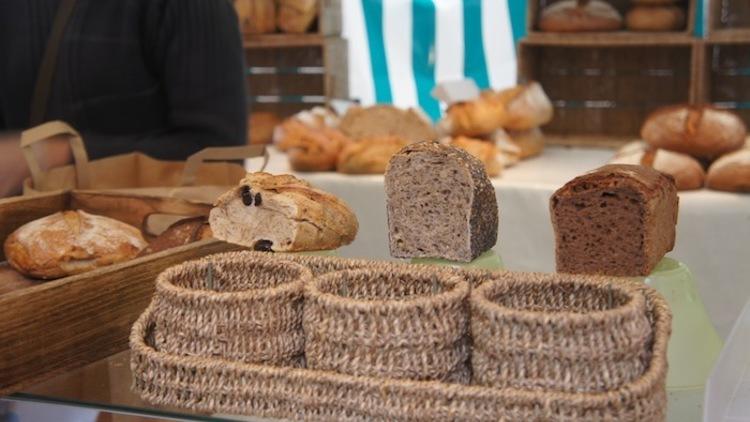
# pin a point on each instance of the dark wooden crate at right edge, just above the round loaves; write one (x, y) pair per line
(725, 77)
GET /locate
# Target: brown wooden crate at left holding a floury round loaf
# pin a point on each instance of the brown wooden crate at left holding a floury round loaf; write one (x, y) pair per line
(47, 328)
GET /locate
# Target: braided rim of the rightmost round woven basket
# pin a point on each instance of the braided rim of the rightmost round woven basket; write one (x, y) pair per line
(480, 302)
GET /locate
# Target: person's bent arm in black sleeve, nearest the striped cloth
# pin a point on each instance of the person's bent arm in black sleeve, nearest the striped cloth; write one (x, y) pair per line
(195, 47)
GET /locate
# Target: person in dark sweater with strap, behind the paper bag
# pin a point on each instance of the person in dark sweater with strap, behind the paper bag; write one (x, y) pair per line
(164, 77)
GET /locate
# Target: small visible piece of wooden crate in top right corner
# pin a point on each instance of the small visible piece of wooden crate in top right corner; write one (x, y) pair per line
(729, 20)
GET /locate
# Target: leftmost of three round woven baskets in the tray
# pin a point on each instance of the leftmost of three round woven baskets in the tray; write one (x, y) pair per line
(240, 308)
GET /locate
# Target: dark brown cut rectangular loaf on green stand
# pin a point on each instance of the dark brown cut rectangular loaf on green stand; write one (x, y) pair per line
(618, 220)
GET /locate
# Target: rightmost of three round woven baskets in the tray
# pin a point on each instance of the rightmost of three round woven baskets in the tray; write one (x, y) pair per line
(556, 332)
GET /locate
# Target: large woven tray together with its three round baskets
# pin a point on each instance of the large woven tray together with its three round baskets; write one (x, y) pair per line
(385, 341)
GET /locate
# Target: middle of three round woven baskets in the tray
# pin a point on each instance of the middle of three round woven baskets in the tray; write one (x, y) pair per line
(398, 322)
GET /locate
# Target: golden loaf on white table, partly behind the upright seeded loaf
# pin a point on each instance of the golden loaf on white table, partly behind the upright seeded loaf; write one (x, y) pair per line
(369, 156)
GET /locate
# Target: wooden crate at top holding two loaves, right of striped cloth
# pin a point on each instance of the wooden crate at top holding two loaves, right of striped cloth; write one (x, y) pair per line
(535, 6)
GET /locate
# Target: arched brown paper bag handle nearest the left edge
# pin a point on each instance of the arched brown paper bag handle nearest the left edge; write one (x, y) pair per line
(50, 130)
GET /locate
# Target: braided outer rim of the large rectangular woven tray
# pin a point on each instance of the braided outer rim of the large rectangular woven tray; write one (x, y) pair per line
(644, 384)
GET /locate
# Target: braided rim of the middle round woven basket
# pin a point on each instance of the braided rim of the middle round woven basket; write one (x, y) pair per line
(459, 290)
